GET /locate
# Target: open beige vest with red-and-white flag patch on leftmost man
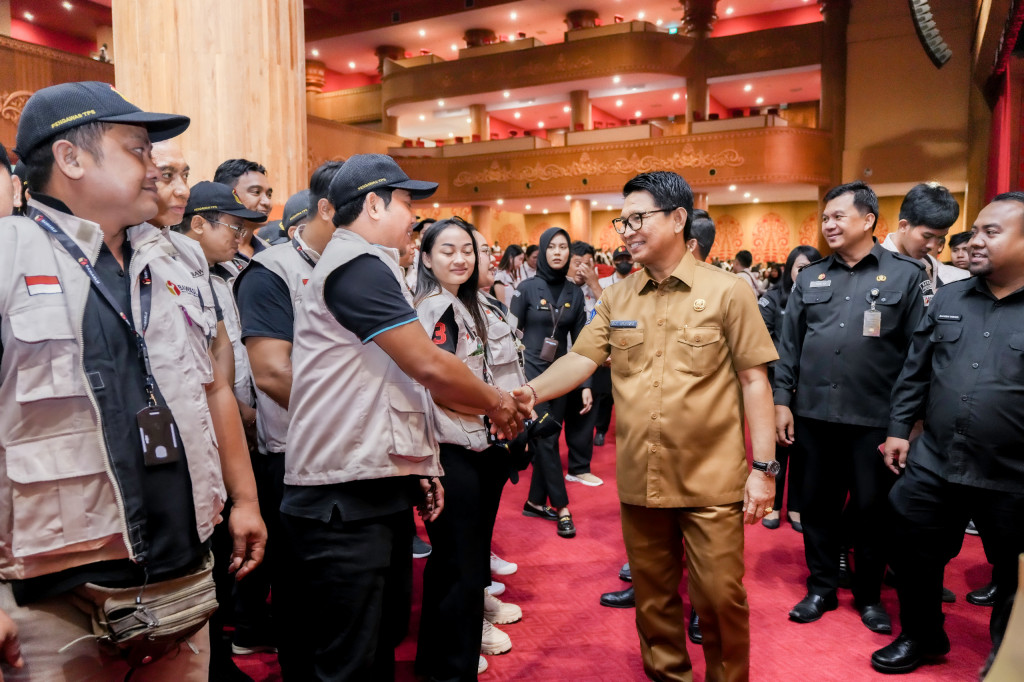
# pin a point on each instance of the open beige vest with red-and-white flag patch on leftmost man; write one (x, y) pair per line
(60, 504)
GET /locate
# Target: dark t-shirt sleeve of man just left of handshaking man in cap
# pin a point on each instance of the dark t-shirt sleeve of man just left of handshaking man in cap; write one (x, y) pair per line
(265, 305)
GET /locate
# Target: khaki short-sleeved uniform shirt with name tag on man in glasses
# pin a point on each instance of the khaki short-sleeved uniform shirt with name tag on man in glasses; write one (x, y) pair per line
(676, 348)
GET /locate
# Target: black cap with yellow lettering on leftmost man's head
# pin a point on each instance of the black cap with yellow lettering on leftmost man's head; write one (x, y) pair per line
(57, 109)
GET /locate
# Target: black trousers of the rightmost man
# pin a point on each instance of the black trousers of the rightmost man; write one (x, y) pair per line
(928, 532)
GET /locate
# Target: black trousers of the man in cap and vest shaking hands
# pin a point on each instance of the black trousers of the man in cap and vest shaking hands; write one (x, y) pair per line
(352, 584)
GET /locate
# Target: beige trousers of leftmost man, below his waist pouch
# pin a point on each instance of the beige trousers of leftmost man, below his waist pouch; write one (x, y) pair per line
(48, 626)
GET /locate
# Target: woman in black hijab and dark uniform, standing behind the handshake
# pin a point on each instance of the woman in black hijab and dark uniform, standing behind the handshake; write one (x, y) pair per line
(549, 309)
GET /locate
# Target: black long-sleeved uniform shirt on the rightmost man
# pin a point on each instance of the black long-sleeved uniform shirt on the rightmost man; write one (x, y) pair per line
(965, 375)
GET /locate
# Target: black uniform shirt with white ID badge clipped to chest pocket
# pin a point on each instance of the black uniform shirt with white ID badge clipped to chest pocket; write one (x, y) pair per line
(828, 369)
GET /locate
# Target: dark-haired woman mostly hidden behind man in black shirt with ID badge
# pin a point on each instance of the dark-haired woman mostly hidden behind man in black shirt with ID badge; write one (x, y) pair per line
(774, 310)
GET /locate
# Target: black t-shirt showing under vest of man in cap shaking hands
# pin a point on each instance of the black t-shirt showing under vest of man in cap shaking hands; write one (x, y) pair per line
(365, 297)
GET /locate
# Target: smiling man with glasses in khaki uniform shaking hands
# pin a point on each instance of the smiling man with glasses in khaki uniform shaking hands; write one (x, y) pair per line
(688, 346)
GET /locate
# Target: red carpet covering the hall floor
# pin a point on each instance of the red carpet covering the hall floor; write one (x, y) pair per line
(567, 635)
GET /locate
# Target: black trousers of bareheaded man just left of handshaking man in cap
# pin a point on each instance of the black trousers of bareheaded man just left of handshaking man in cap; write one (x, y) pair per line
(251, 610)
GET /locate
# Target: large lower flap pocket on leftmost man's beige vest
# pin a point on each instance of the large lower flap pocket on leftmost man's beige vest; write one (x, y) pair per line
(60, 495)
